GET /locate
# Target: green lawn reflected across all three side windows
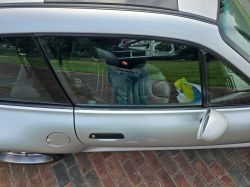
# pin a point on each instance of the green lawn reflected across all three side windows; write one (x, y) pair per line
(157, 69)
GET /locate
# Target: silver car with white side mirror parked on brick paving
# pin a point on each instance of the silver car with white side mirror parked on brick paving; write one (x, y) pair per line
(102, 75)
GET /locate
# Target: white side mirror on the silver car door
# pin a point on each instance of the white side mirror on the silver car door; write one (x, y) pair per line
(213, 126)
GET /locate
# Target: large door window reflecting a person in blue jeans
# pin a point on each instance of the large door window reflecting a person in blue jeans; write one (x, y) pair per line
(123, 71)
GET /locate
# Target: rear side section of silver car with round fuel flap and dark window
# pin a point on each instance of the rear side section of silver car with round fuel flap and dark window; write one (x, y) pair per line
(35, 115)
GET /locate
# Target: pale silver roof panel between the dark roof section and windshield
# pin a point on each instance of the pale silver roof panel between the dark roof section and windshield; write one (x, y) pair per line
(206, 8)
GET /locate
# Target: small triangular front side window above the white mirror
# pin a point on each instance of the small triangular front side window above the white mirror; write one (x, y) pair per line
(225, 85)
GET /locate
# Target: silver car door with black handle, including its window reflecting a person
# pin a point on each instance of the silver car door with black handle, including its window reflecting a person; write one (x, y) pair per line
(95, 70)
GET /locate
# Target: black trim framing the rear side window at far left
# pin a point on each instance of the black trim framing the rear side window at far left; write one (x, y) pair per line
(36, 103)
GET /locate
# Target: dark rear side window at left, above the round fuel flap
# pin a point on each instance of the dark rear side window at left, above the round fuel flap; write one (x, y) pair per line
(23, 73)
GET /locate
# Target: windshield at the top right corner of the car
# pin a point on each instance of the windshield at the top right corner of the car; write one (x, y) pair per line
(235, 25)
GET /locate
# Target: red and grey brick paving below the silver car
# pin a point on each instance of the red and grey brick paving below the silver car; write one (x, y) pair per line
(182, 168)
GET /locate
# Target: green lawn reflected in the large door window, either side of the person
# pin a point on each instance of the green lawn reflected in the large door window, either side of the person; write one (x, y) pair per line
(157, 70)
